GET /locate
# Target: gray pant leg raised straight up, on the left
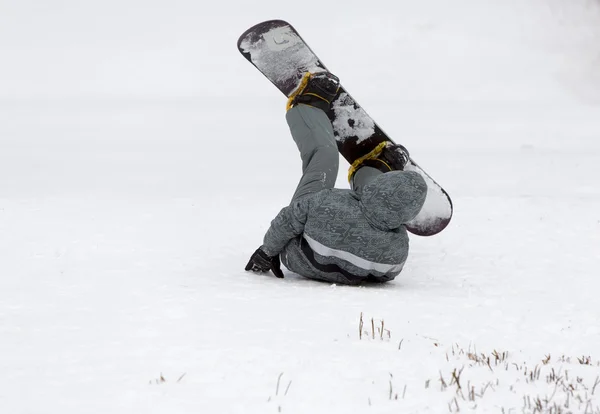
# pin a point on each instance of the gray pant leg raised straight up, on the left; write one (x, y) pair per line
(313, 134)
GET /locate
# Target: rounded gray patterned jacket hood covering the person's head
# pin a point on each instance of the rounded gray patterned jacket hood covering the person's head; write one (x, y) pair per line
(393, 198)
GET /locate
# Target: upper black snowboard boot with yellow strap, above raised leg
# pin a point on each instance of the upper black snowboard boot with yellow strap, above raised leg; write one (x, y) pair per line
(316, 89)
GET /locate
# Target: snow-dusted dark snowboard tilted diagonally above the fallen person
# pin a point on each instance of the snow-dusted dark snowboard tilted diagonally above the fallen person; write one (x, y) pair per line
(276, 49)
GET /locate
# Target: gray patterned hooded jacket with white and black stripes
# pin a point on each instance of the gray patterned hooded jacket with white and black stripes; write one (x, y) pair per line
(342, 236)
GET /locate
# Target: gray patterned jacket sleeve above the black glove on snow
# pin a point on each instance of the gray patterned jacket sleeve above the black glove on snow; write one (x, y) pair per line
(288, 224)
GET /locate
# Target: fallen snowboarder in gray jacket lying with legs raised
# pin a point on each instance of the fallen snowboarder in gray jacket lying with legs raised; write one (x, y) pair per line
(335, 235)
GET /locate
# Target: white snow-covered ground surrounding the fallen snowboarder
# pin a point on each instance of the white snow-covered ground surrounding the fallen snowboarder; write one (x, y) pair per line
(142, 159)
